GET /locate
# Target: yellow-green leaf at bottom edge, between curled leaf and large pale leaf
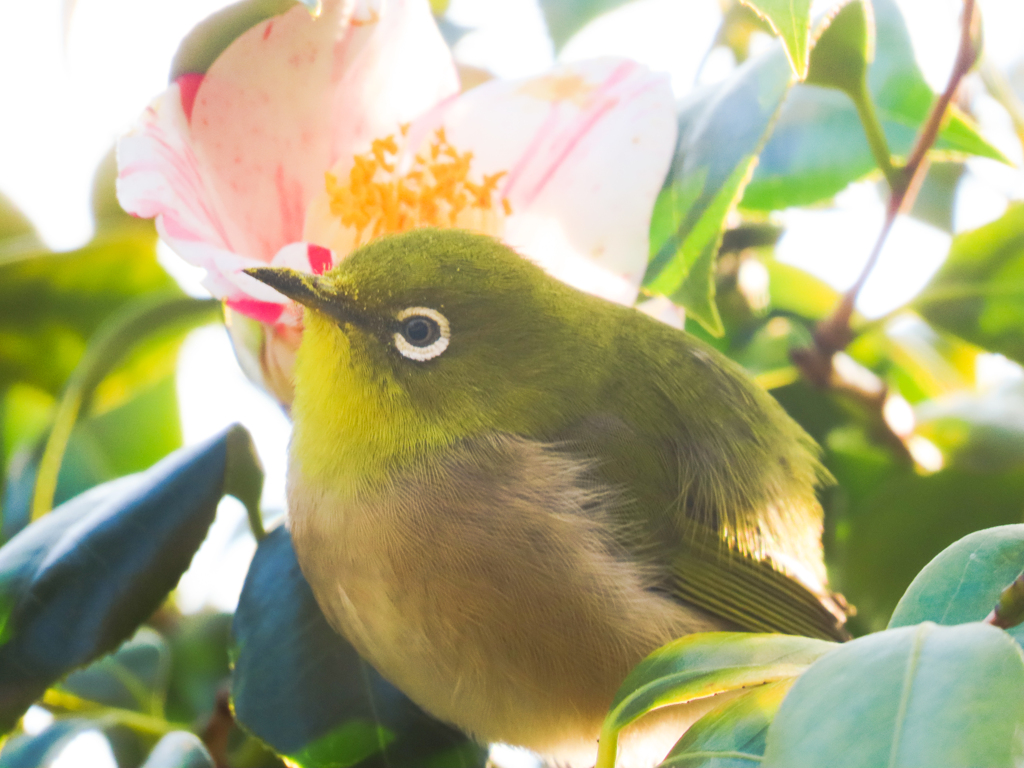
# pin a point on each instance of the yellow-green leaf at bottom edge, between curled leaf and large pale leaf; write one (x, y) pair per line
(735, 730)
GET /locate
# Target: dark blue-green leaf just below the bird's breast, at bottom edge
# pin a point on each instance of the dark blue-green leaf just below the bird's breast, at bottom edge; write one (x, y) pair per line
(304, 691)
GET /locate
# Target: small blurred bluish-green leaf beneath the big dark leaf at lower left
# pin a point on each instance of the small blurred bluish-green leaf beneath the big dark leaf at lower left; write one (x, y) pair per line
(136, 677)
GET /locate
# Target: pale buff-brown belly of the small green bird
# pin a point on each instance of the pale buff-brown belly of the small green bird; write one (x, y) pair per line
(504, 611)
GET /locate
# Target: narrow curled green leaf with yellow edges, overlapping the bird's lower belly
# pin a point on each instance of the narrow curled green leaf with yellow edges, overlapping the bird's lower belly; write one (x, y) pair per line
(703, 665)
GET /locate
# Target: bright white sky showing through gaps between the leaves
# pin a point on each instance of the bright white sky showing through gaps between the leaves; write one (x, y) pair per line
(64, 107)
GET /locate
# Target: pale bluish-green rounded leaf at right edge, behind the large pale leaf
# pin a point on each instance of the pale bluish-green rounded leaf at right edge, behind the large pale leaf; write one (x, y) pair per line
(965, 581)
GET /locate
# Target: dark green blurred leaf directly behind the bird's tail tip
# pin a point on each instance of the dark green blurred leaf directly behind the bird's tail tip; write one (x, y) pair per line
(893, 522)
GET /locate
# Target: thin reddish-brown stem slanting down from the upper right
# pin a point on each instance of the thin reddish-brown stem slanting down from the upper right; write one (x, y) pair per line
(835, 333)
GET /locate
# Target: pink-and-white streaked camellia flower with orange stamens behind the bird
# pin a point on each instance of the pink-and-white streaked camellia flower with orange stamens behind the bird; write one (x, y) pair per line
(308, 138)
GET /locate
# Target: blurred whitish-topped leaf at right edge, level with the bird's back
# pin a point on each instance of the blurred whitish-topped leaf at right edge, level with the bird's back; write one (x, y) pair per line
(978, 432)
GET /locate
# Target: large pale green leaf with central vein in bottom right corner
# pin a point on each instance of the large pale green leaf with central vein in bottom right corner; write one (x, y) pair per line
(924, 696)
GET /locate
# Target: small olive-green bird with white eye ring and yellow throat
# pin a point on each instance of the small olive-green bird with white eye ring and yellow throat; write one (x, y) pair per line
(506, 493)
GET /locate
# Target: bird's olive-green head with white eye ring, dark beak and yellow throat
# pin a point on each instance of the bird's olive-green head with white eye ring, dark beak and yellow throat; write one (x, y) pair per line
(421, 339)
